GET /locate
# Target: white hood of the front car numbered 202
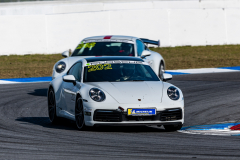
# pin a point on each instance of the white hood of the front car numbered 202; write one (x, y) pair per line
(133, 92)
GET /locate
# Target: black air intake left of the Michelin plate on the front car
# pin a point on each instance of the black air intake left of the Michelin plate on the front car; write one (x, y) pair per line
(107, 116)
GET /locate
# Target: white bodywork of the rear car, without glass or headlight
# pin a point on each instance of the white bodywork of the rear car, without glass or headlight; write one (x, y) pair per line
(153, 60)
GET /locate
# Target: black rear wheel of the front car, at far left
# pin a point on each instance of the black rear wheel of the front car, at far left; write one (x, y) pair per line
(52, 107)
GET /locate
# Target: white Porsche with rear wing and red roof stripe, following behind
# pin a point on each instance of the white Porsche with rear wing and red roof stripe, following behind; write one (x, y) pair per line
(112, 46)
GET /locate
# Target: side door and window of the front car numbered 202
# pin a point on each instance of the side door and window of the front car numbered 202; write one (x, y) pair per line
(70, 90)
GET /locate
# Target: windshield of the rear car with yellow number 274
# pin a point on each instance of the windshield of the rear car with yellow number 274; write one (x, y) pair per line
(104, 49)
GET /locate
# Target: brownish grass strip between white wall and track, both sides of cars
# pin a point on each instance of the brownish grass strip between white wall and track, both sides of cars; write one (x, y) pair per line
(176, 58)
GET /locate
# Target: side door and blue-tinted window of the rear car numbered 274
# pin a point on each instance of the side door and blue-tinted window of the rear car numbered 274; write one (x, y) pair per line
(140, 48)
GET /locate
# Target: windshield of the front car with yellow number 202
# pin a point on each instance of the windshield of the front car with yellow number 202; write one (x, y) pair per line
(119, 73)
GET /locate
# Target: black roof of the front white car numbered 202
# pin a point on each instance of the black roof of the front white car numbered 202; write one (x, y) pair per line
(113, 58)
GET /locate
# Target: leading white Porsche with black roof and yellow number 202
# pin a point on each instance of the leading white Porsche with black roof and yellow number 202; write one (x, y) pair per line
(115, 91)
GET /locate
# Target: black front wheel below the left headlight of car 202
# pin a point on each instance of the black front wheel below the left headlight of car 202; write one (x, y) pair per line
(79, 115)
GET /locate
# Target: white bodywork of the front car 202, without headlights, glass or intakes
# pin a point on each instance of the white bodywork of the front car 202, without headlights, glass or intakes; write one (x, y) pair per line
(153, 94)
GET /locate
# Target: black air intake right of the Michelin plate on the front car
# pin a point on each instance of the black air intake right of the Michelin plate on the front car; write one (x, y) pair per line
(171, 114)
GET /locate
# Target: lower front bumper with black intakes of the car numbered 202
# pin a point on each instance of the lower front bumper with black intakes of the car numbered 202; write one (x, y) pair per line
(117, 118)
